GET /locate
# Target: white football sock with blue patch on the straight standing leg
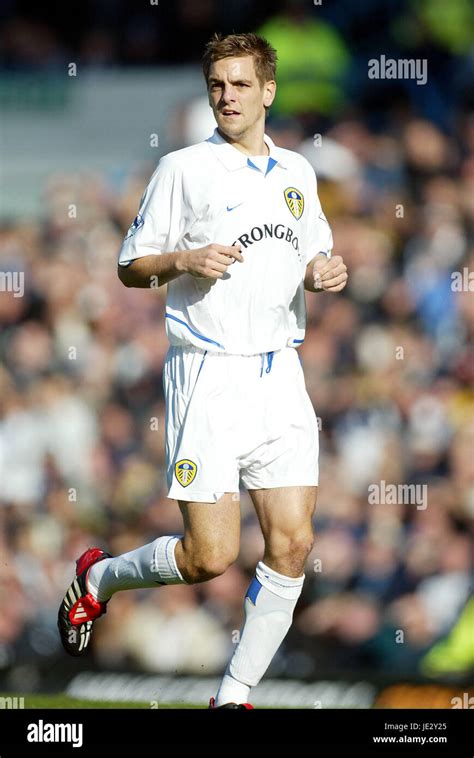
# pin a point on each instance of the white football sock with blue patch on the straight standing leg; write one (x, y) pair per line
(269, 605)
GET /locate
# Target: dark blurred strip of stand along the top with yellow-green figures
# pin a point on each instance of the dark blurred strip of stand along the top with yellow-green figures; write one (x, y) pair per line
(323, 47)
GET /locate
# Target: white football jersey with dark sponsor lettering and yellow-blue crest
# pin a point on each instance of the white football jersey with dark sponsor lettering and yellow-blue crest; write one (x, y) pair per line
(212, 192)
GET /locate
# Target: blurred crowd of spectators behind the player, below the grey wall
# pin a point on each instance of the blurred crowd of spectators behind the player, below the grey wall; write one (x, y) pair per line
(389, 367)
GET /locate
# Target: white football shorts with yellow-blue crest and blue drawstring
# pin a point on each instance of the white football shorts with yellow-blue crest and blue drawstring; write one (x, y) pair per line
(231, 417)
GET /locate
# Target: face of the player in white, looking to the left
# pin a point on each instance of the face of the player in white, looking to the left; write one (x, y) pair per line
(236, 96)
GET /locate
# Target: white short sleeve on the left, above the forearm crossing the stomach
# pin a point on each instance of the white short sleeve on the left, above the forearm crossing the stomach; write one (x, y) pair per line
(157, 227)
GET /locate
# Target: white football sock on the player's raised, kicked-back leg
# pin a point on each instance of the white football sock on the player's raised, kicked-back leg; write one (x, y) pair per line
(147, 566)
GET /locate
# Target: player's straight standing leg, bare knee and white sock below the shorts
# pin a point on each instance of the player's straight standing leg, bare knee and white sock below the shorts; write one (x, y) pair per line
(285, 515)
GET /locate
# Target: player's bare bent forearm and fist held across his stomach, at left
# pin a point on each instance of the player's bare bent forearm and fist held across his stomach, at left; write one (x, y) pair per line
(154, 270)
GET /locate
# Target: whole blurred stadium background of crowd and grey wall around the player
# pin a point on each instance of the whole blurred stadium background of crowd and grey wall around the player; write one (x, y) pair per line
(92, 94)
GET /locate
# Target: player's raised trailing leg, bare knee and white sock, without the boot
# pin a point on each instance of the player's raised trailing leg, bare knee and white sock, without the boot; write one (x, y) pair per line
(209, 545)
